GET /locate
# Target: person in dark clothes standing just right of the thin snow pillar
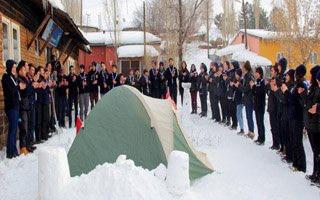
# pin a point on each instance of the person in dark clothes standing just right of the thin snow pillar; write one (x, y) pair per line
(194, 88)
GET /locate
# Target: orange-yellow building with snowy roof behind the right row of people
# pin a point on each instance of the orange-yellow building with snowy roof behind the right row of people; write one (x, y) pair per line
(268, 45)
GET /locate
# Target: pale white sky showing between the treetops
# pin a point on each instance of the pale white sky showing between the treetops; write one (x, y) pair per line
(93, 8)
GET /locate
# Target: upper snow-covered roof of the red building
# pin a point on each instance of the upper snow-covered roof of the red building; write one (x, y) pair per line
(124, 38)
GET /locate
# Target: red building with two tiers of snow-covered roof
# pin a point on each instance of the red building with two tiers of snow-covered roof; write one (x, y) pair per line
(130, 51)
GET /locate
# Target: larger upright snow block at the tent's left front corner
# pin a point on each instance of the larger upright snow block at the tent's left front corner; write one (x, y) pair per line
(53, 172)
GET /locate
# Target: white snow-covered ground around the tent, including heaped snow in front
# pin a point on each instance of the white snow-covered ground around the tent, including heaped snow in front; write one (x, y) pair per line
(243, 170)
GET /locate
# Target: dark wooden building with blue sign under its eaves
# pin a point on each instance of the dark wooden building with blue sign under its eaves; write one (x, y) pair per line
(32, 31)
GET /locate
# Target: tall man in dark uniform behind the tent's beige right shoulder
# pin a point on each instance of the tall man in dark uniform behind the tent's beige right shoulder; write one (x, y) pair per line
(171, 76)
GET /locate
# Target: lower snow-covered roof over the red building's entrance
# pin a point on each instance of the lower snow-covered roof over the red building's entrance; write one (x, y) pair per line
(136, 51)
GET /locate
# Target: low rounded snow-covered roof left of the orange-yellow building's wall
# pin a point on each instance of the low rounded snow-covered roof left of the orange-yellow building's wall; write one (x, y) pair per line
(255, 59)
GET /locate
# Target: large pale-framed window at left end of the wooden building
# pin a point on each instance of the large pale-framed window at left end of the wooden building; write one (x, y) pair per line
(11, 40)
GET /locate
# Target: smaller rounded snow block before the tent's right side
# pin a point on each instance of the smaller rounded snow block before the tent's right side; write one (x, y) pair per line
(178, 173)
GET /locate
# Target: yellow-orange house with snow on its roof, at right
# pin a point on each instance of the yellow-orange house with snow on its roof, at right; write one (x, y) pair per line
(268, 45)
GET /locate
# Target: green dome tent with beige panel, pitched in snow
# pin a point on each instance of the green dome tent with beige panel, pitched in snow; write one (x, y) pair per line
(126, 122)
